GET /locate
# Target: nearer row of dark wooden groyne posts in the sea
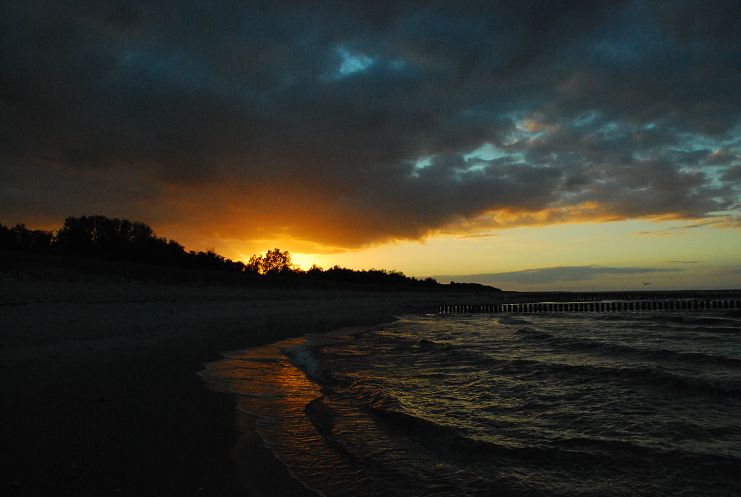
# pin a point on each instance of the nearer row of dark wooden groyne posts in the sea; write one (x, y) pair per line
(614, 306)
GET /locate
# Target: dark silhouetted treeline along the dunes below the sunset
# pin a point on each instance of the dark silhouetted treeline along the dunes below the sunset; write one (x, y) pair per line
(112, 239)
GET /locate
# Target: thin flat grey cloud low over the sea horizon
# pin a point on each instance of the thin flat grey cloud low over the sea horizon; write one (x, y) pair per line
(555, 274)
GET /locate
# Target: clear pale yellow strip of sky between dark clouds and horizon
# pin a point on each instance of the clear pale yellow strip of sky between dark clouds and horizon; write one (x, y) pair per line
(692, 254)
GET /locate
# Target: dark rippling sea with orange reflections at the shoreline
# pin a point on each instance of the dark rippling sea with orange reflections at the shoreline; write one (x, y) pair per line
(572, 404)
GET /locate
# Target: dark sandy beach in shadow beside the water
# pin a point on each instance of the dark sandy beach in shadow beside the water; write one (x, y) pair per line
(99, 387)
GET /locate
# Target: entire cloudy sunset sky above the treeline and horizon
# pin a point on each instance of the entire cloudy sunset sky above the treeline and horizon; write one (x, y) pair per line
(574, 145)
